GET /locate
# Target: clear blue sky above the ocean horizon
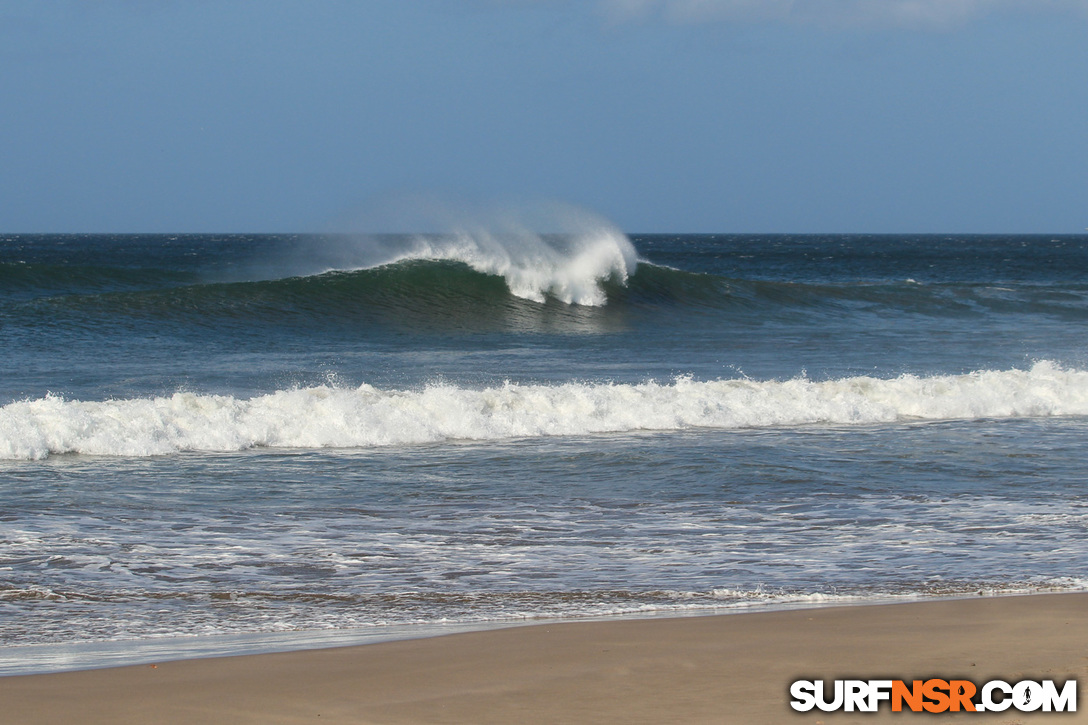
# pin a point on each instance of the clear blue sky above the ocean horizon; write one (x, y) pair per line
(662, 116)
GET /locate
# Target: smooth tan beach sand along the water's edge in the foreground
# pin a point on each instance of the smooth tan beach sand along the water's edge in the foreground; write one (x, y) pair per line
(724, 669)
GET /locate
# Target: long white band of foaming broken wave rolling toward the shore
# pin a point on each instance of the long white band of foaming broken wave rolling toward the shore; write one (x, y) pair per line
(330, 417)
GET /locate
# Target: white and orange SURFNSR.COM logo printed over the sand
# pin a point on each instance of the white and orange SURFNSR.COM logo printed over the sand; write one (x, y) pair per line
(934, 696)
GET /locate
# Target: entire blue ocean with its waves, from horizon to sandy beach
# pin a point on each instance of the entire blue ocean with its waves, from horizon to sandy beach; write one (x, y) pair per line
(214, 443)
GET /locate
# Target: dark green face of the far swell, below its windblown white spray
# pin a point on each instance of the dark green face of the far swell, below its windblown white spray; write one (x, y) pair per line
(436, 290)
